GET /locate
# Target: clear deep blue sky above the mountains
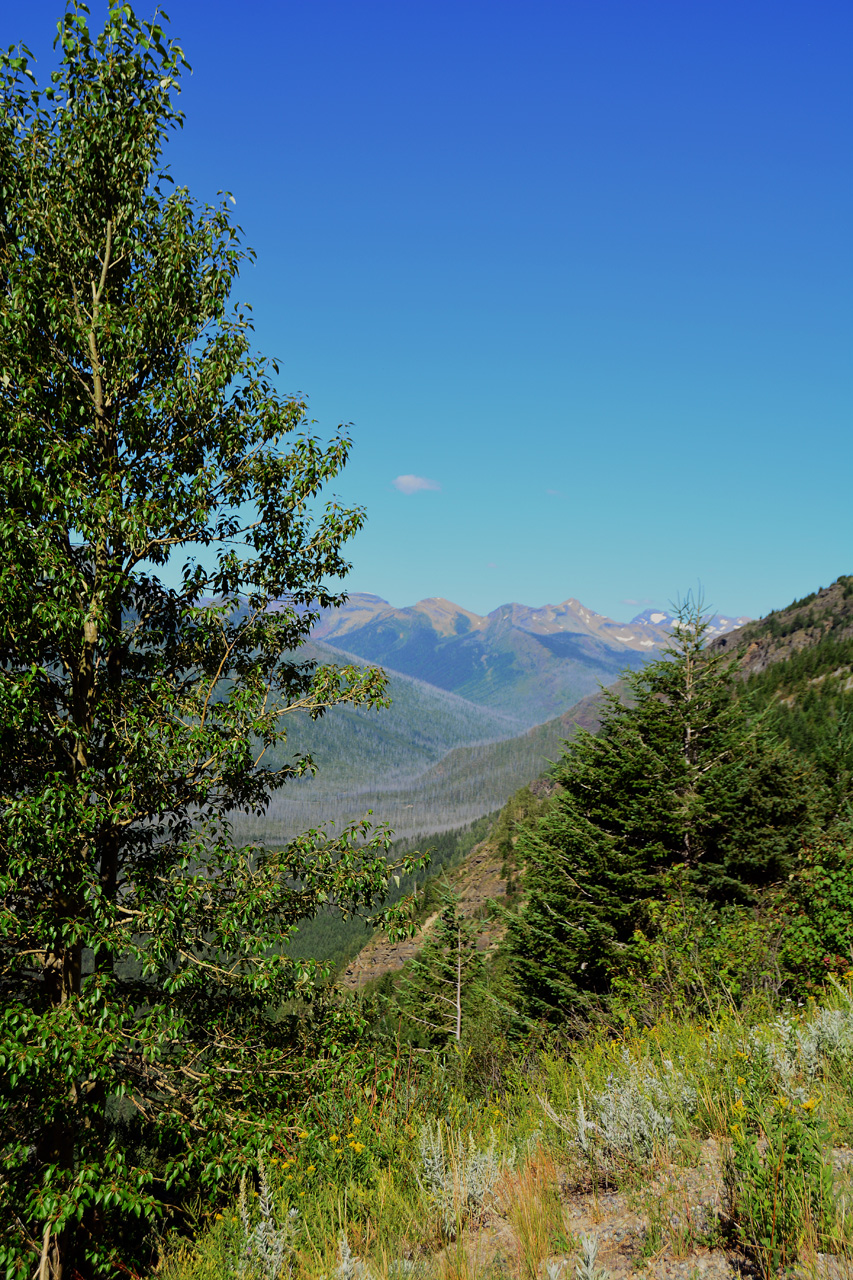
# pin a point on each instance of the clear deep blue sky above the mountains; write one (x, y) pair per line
(586, 267)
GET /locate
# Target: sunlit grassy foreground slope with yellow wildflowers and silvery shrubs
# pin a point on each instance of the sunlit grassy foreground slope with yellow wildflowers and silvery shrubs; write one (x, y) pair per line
(426, 1181)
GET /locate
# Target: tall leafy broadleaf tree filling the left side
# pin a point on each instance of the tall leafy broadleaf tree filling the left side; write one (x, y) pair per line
(143, 959)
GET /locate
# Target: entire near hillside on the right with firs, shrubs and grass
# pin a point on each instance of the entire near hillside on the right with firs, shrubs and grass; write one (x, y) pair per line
(662, 1078)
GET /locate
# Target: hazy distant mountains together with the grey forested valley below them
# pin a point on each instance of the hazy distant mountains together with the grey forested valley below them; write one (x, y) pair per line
(480, 707)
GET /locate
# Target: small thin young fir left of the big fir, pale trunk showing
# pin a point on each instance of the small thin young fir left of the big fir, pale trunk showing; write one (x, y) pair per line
(441, 982)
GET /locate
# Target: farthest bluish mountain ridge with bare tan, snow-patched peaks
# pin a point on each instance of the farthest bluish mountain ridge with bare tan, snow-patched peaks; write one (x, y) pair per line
(531, 664)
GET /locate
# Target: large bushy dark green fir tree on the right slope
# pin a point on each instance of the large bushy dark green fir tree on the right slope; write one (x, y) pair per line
(678, 776)
